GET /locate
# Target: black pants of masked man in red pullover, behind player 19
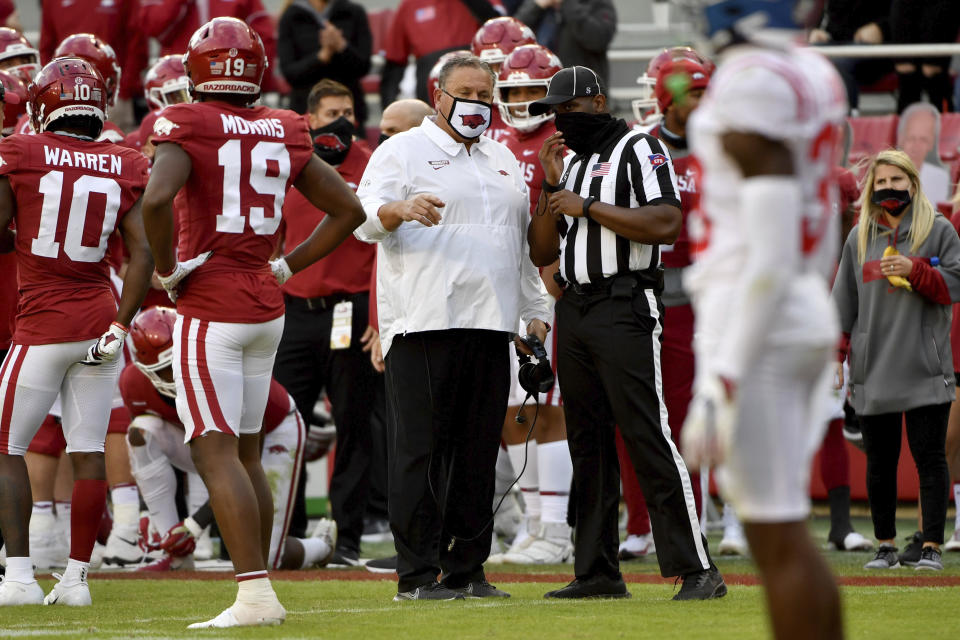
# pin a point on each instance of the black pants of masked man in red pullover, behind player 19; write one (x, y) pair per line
(305, 365)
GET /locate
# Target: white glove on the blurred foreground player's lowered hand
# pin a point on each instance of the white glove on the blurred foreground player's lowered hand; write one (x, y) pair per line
(705, 437)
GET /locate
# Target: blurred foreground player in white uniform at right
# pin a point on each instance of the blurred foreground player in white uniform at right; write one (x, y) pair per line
(764, 245)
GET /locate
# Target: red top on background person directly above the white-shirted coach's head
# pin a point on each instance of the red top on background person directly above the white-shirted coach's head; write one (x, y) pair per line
(420, 27)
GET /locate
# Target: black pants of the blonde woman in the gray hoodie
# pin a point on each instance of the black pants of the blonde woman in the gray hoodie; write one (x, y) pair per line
(927, 436)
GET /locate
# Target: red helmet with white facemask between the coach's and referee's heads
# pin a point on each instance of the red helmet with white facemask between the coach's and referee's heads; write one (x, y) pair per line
(529, 65)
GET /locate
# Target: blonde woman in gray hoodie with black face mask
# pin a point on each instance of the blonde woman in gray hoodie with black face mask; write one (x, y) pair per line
(899, 272)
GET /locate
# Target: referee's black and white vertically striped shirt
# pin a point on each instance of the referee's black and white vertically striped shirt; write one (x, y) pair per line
(633, 172)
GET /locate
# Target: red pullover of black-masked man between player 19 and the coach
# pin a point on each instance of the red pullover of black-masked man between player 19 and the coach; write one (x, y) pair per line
(347, 269)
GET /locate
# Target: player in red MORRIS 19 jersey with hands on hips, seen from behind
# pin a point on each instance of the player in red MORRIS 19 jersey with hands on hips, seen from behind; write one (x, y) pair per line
(235, 163)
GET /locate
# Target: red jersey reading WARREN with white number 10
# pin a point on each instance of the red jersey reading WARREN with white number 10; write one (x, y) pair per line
(70, 195)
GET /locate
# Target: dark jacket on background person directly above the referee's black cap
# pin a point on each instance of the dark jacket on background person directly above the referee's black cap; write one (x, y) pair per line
(586, 30)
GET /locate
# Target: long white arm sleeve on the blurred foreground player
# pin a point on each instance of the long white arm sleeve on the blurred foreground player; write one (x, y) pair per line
(773, 257)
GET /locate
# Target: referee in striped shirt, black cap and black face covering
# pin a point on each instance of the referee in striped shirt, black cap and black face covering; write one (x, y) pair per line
(603, 210)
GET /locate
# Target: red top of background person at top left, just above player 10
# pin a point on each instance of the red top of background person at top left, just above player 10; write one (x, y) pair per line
(116, 22)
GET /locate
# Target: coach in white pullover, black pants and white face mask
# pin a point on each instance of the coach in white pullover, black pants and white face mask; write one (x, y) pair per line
(450, 210)
